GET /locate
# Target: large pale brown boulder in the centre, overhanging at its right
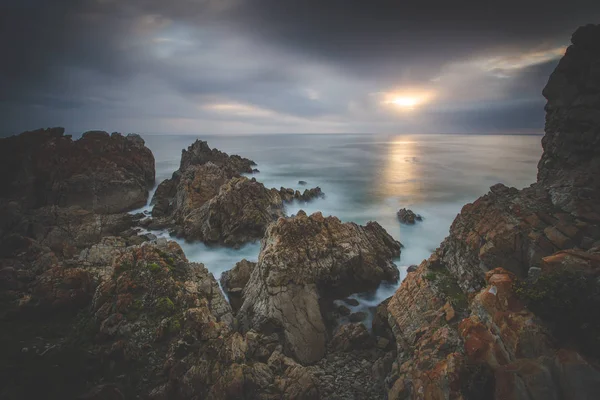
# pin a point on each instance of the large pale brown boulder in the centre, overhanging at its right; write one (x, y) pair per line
(307, 260)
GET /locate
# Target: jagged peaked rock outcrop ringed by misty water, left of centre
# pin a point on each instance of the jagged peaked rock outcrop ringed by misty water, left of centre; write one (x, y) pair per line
(208, 200)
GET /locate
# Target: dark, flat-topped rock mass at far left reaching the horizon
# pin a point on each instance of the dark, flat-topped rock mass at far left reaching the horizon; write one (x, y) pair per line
(100, 172)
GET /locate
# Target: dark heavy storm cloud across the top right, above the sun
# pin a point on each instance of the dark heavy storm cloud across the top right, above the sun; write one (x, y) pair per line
(383, 35)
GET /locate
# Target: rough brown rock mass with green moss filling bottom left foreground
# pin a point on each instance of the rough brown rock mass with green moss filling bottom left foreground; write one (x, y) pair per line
(151, 325)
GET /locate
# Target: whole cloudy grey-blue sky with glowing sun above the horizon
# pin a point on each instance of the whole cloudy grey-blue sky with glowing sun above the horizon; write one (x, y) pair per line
(281, 66)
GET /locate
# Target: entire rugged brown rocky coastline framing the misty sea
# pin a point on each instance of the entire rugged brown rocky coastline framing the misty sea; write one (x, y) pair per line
(94, 308)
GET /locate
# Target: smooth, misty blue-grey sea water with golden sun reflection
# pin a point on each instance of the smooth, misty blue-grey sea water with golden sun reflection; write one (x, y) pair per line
(368, 178)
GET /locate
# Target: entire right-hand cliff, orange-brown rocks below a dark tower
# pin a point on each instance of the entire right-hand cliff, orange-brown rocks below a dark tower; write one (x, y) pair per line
(506, 306)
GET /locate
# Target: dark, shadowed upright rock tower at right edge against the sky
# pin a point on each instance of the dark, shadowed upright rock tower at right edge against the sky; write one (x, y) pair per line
(569, 167)
